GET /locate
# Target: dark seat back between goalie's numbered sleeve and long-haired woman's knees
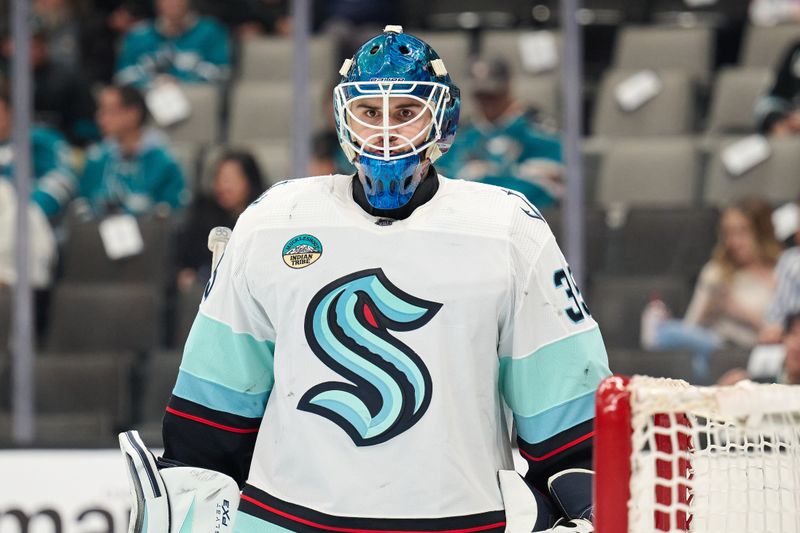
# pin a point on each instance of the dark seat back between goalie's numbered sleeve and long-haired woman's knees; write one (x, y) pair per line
(617, 302)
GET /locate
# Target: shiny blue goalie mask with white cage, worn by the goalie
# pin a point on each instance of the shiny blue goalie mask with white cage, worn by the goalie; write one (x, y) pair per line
(396, 112)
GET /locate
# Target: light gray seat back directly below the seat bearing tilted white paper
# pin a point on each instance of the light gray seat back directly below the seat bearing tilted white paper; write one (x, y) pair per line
(651, 172)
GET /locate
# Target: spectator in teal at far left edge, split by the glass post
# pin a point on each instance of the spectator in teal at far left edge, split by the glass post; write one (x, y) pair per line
(55, 182)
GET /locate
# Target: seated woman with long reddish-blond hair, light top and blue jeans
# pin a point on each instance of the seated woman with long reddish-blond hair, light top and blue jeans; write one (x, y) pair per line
(732, 295)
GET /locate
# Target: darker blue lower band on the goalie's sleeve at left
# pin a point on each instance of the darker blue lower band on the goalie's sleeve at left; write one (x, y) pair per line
(218, 397)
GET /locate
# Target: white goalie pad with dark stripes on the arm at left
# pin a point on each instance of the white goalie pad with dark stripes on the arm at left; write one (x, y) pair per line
(177, 499)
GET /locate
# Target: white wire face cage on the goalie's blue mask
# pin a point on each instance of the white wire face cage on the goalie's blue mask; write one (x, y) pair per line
(384, 141)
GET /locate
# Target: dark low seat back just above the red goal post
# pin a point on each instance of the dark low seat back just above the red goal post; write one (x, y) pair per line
(667, 364)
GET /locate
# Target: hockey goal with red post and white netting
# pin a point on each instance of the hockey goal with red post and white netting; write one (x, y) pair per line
(673, 457)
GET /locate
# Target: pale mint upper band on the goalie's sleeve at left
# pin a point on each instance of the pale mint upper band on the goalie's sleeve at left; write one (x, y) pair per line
(237, 361)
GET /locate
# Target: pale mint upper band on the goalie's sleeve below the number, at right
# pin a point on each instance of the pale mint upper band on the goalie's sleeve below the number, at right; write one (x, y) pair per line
(554, 374)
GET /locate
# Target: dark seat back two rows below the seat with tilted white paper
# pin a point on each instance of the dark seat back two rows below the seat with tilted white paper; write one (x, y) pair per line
(676, 241)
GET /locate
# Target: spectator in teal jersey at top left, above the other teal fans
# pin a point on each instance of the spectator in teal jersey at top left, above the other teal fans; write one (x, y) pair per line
(178, 44)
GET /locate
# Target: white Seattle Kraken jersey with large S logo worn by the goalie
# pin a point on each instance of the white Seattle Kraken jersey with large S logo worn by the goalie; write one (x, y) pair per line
(380, 360)
